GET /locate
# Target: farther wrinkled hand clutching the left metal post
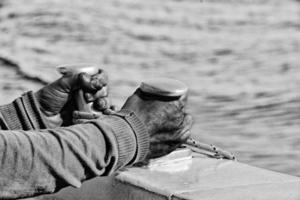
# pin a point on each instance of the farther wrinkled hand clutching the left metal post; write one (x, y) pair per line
(58, 102)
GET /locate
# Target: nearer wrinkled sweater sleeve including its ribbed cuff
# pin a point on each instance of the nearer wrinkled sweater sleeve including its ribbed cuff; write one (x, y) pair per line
(44, 161)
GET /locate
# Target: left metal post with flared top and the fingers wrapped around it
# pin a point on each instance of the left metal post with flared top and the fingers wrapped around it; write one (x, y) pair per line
(91, 97)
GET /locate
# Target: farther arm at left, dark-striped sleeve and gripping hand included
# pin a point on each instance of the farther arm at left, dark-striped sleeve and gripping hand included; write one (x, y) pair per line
(53, 105)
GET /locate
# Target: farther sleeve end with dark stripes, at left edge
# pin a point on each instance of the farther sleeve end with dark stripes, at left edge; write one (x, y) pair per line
(22, 114)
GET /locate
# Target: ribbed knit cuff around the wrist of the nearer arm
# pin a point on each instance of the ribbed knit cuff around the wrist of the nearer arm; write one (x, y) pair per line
(140, 132)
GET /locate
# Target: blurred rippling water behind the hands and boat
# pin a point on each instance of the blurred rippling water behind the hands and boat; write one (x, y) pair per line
(239, 58)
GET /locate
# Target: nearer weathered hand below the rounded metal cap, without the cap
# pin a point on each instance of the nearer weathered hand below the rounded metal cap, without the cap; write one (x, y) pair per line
(167, 123)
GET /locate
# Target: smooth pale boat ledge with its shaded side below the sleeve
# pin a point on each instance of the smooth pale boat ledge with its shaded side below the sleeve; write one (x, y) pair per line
(196, 177)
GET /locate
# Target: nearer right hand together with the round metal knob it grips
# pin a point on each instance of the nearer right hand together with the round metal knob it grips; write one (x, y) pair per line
(160, 105)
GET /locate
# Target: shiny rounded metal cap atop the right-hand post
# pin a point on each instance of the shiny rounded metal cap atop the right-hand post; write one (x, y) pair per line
(164, 87)
